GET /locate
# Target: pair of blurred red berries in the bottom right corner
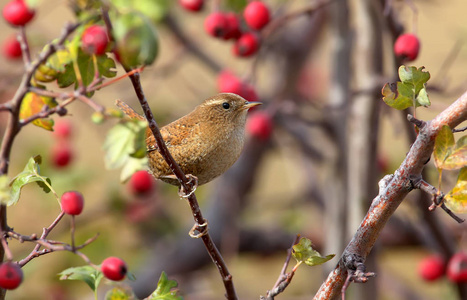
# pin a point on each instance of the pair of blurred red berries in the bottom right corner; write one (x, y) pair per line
(433, 267)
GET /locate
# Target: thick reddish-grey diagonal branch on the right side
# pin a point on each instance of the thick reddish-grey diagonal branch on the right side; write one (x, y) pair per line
(392, 192)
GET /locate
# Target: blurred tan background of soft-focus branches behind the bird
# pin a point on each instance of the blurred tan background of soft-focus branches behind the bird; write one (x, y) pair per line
(315, 173)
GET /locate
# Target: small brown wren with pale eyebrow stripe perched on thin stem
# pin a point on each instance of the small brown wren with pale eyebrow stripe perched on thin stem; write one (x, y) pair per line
(205, 142)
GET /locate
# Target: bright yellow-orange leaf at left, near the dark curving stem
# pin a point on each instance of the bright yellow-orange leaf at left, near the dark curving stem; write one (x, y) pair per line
(33, 104)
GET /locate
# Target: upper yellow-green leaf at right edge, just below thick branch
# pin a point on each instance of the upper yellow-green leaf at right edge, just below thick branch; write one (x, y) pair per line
(448, 154)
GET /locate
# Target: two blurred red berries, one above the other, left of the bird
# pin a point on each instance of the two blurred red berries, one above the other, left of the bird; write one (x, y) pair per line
(62, 151)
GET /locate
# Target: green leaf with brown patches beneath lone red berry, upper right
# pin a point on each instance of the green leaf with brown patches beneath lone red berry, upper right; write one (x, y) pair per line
(410, 91)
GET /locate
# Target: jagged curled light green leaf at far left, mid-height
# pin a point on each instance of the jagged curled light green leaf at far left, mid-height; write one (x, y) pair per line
(31, 173)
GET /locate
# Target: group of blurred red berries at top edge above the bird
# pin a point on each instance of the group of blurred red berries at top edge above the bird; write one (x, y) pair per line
(227, 25)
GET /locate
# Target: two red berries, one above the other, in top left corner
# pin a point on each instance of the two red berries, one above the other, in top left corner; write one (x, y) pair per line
(16, 13)
